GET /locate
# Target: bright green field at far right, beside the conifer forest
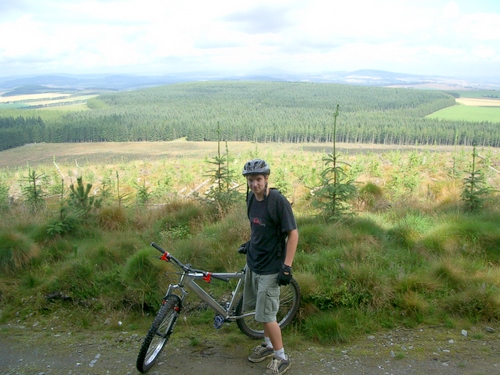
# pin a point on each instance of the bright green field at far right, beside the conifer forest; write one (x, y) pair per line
(467, 113)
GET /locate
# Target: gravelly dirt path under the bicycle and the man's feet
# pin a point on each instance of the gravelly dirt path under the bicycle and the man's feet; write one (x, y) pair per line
(437, 351)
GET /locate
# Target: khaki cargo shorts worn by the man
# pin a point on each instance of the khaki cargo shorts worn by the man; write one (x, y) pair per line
(262, 293)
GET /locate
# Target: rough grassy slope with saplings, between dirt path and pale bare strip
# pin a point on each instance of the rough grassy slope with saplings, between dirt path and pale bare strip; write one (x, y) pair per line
(409, 255)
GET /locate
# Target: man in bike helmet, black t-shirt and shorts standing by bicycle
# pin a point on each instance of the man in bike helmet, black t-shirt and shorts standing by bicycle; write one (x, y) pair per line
(269, 264)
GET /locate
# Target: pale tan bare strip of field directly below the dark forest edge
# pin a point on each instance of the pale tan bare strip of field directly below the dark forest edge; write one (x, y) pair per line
(44, 153)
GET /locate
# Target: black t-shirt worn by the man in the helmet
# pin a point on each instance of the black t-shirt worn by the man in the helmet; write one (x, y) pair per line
(263, 254)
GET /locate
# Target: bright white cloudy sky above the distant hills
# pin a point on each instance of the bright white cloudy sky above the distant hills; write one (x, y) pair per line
(433, 37)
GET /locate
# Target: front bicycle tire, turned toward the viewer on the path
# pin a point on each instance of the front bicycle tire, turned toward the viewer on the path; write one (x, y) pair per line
(159, 333)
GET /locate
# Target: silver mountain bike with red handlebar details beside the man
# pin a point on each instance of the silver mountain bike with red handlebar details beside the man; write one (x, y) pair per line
(172, 303)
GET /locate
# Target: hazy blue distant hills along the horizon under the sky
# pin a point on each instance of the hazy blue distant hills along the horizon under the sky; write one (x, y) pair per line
(365, 77)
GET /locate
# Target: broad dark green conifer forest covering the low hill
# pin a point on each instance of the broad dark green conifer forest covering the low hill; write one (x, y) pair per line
(252, 111)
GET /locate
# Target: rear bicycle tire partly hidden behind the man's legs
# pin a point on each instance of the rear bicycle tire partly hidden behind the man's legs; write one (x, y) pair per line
(289, 305)
